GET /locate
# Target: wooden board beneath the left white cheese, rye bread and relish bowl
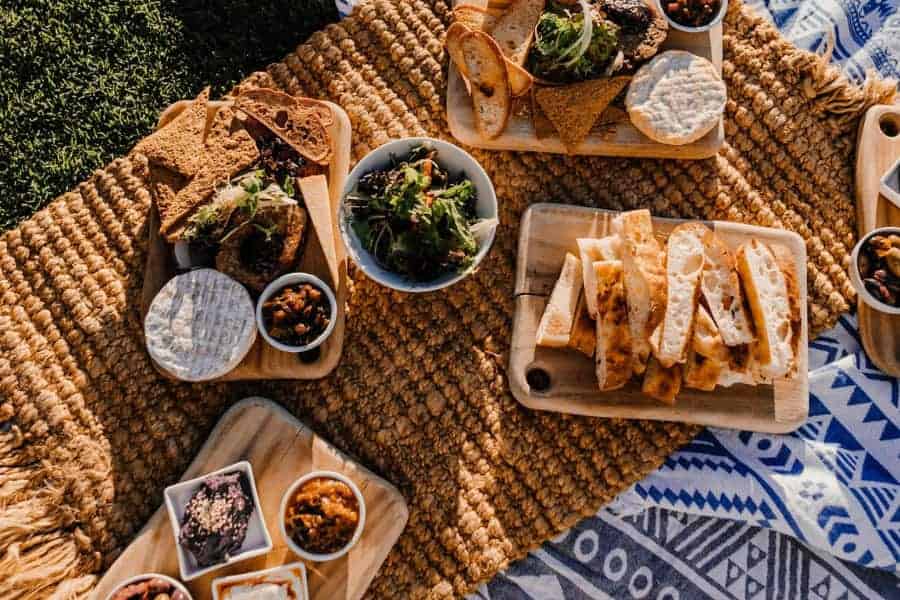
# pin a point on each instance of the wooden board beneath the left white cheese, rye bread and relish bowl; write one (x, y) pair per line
(263, 361)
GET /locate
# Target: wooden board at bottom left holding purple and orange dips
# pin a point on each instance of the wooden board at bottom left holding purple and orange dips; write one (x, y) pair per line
(280, 448)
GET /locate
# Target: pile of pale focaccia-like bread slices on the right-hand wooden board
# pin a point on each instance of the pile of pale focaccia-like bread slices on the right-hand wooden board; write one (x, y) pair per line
(687, 312)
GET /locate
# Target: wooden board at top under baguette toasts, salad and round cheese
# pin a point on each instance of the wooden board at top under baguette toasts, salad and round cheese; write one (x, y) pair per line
(622, 139)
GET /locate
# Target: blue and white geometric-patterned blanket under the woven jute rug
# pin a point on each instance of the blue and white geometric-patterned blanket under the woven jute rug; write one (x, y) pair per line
(813, 514)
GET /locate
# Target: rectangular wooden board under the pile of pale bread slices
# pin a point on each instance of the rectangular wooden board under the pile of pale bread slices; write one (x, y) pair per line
(547, 232)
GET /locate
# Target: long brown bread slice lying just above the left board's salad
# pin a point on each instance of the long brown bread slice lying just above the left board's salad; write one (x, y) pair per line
(227, 151)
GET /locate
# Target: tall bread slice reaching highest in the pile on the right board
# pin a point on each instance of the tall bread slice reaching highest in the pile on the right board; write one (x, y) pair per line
(643, 261)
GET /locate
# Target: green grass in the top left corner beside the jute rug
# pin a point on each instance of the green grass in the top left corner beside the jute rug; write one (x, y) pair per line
(82, 80)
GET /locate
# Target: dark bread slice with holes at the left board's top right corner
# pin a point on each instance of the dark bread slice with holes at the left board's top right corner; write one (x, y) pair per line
(299, 122)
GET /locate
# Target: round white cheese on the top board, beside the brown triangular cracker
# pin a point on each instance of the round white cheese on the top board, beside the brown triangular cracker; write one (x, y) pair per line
(676, 98)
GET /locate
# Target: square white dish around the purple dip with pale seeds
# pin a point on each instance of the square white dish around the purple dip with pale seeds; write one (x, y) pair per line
(256, 542)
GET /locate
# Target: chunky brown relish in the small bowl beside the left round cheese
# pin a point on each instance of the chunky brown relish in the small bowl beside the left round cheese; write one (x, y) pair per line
(297, 315)
